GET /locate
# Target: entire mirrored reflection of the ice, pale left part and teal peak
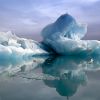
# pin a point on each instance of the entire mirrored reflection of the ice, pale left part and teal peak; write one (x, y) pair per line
(65, 74)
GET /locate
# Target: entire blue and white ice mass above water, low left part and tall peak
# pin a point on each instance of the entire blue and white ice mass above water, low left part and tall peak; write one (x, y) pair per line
(63, 37)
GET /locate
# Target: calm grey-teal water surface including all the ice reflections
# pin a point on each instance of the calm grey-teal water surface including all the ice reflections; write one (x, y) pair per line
(51, 78)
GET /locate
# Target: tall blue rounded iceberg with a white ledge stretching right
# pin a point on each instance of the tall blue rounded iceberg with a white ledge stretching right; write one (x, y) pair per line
(64, 36)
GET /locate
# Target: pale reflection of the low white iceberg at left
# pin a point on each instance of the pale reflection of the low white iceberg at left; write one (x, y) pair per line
(12, 68)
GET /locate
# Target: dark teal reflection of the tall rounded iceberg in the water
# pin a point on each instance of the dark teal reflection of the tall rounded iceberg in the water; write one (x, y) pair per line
(71, 73)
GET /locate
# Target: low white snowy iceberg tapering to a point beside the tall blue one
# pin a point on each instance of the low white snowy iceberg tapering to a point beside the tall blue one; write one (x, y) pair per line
(15, 48)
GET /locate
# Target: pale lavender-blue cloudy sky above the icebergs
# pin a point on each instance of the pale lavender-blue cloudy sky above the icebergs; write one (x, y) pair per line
(27, 18)
